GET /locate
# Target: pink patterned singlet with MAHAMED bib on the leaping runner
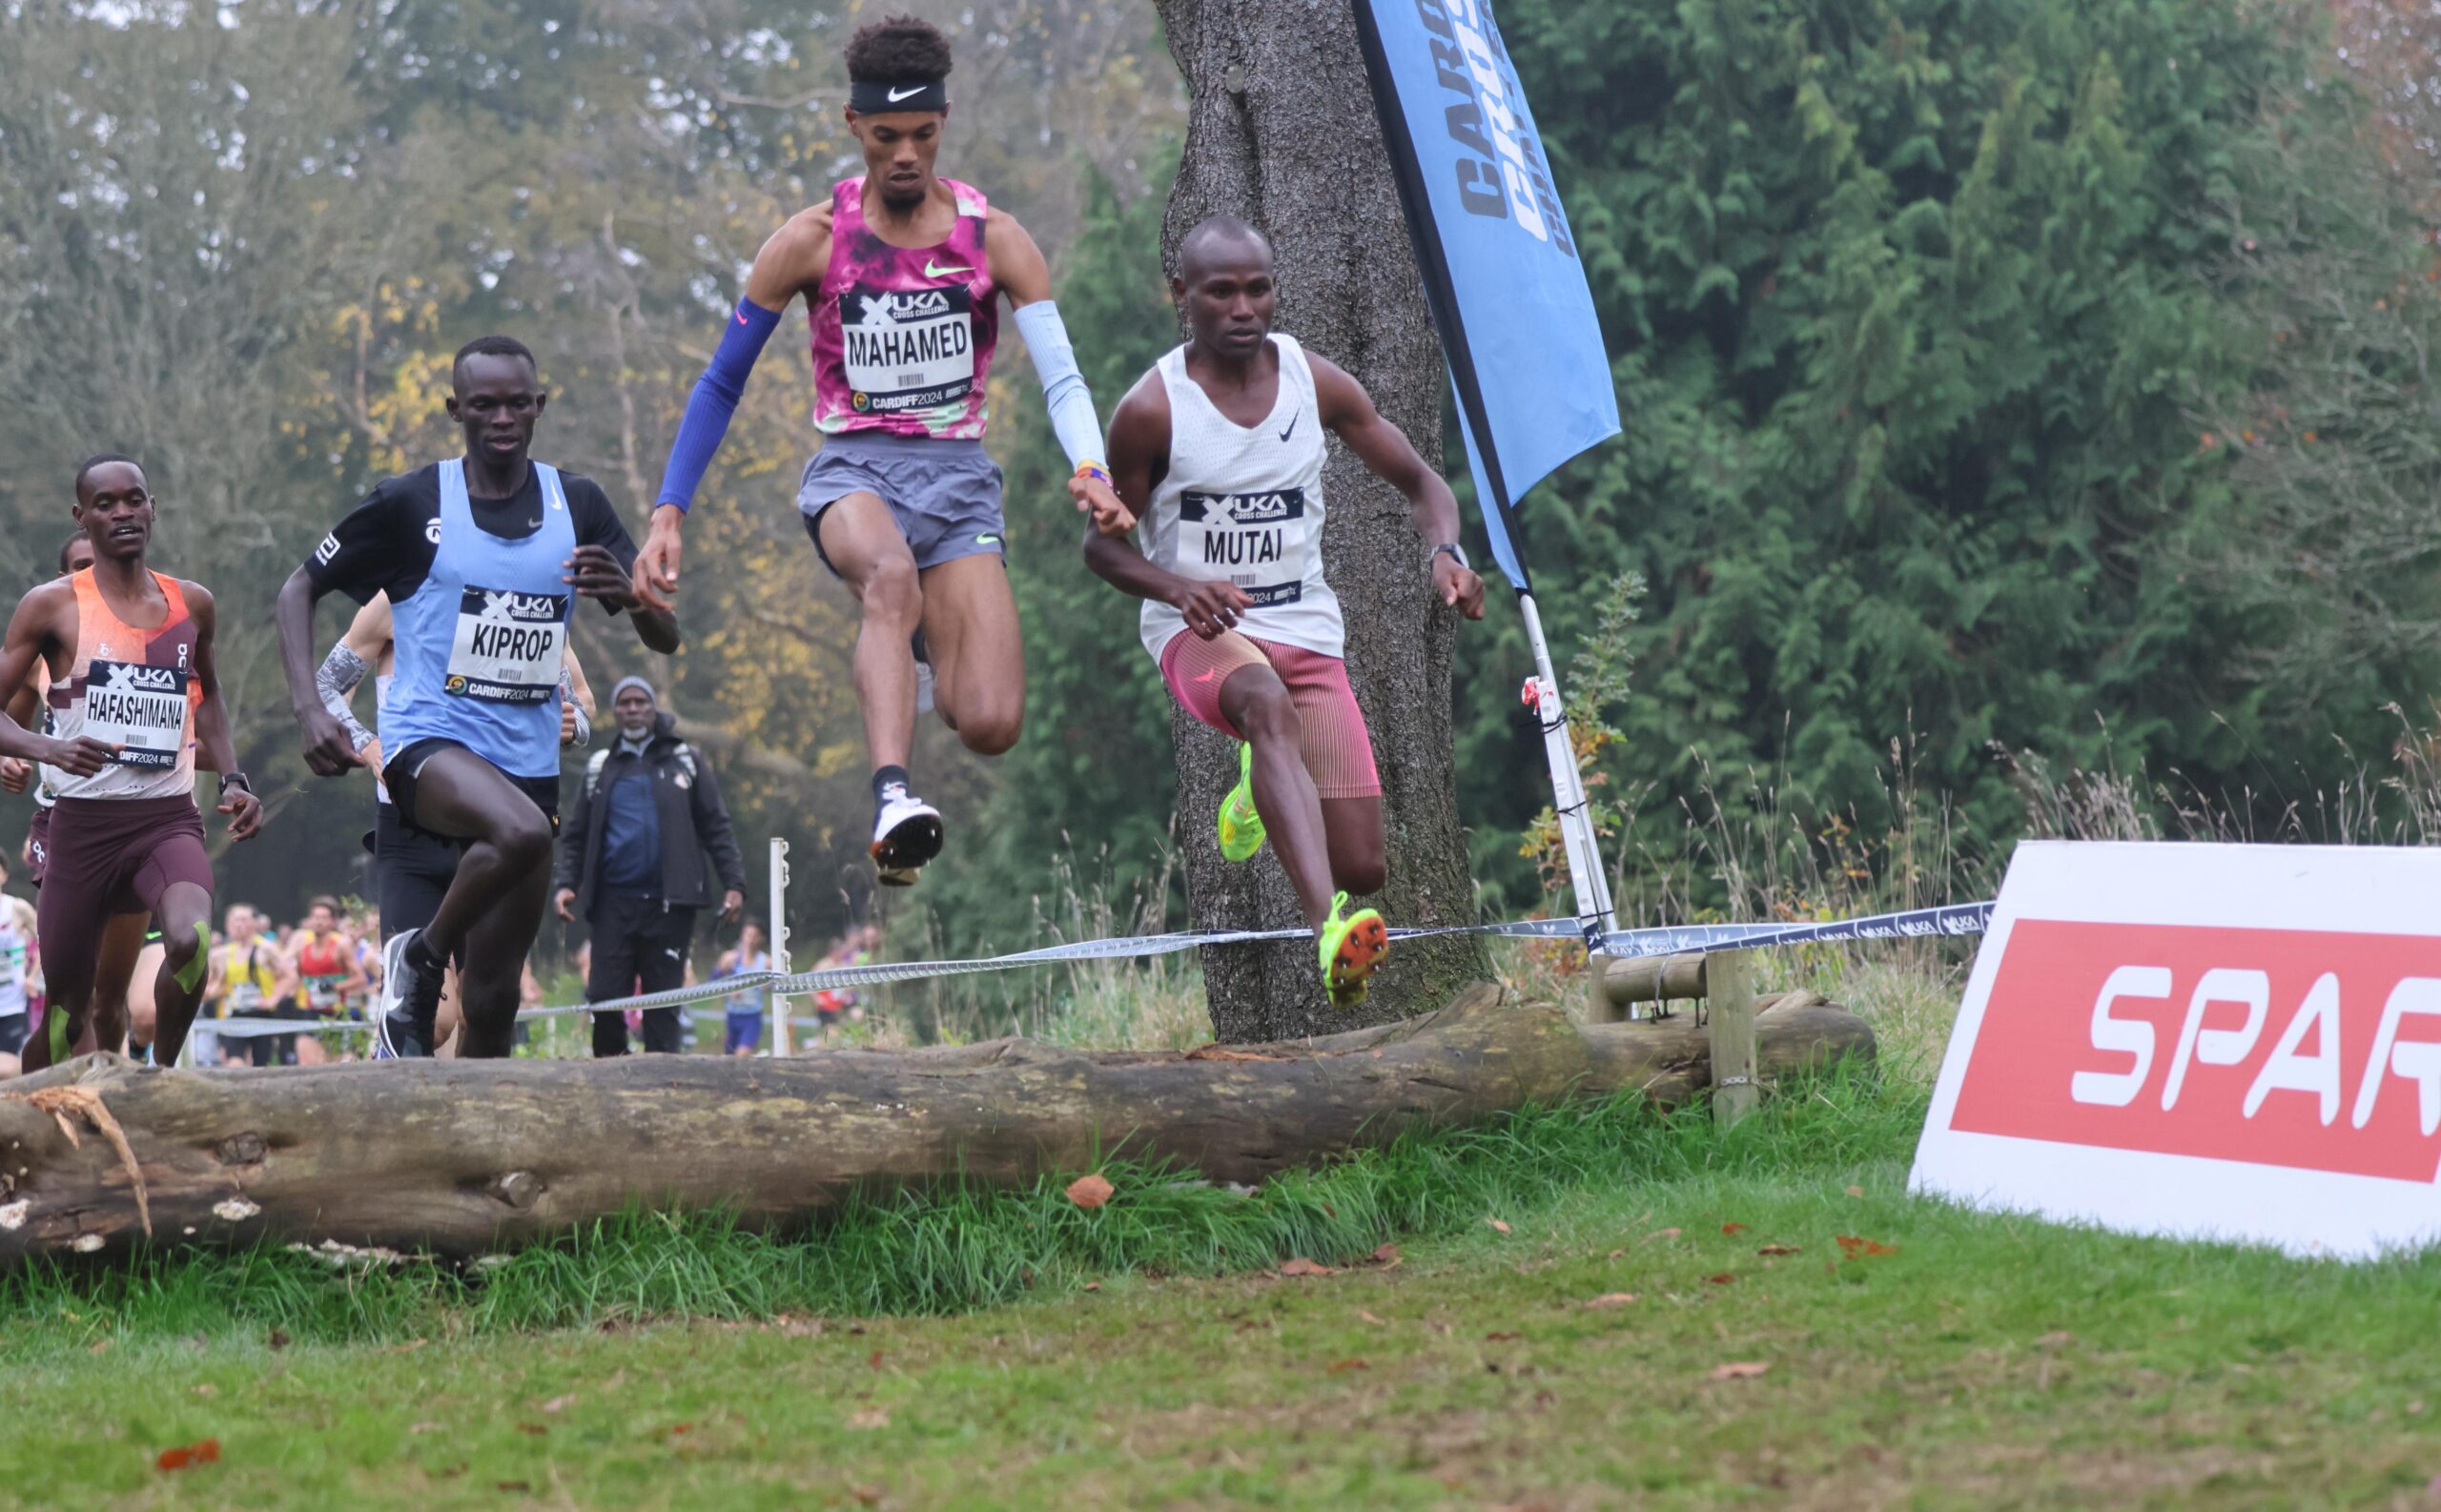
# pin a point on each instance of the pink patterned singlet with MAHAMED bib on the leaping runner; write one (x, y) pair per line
(902, 338)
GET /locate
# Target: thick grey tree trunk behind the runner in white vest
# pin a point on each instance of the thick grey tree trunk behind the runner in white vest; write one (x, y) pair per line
(1283, 133)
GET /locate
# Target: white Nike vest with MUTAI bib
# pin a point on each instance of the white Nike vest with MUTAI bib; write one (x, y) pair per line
(1246, 506)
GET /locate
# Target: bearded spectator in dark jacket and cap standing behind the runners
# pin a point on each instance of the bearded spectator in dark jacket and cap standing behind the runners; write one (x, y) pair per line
(631, 862)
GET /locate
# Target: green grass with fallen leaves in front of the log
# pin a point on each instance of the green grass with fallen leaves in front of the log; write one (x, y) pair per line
(946, 1355)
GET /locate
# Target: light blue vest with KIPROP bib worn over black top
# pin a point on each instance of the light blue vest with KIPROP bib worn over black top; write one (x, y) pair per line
(480, 645)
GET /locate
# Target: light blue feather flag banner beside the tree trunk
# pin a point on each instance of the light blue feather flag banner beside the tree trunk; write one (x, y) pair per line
(1500, 265)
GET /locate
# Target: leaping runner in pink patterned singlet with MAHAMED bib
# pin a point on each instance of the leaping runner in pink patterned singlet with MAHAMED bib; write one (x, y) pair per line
(902, 274)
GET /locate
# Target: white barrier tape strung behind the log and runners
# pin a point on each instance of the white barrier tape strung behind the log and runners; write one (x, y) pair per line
(1673, 940)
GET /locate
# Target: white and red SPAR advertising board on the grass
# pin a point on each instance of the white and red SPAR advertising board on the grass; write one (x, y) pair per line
(2203, 1040)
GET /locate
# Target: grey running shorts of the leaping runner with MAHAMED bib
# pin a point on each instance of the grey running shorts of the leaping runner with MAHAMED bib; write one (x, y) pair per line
(946, 496)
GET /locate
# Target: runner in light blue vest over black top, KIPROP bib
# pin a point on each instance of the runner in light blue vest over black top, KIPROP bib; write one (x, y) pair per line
(480, 628)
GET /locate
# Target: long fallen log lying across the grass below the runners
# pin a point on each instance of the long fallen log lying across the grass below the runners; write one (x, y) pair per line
(467, 1157)
